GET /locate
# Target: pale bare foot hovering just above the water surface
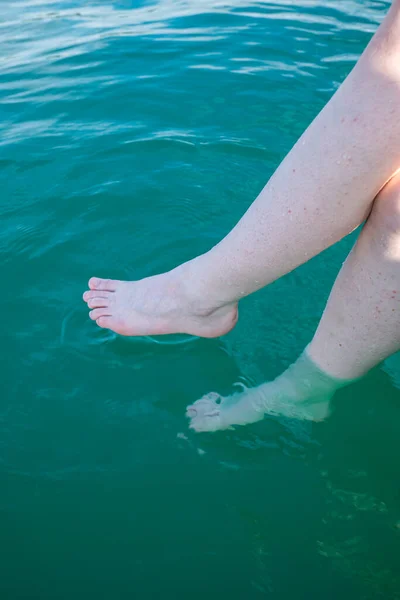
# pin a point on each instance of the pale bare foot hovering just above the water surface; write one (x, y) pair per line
(157, 305)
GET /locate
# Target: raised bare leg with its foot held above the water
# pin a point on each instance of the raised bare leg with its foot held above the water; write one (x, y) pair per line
(323, 190)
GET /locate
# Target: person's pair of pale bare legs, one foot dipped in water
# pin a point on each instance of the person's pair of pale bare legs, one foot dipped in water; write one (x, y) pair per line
(342, 171)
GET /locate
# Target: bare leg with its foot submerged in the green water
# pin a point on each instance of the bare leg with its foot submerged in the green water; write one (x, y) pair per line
(359, 328)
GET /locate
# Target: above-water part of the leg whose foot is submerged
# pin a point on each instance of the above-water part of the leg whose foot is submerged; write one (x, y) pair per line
(365, 286)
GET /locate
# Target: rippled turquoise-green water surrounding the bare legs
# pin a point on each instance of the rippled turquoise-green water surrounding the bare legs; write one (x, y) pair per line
(133, 135)
